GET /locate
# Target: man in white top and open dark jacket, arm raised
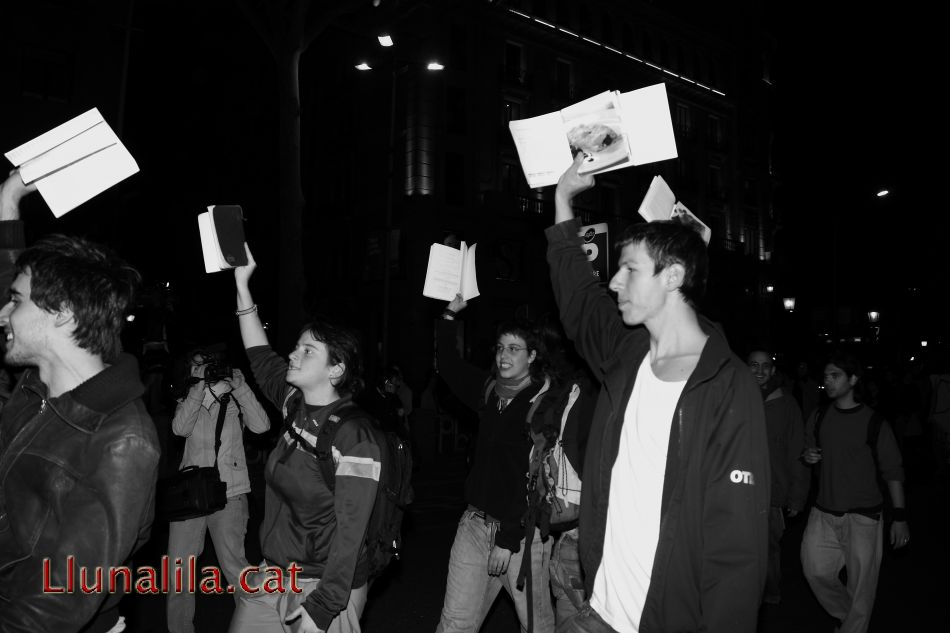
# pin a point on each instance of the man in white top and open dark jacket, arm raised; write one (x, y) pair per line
(677, 443)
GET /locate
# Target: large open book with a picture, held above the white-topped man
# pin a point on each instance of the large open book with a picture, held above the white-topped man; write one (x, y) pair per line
(612, 129)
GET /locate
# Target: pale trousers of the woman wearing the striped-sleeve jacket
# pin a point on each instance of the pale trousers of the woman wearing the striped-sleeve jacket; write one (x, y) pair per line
(265, 612)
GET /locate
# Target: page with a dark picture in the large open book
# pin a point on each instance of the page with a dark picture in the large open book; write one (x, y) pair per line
(595, 127)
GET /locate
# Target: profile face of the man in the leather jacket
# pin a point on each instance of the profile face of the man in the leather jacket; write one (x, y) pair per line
(26, 326)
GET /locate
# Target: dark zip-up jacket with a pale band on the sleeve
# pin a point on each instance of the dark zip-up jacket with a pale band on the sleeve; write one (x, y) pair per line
(305, 522)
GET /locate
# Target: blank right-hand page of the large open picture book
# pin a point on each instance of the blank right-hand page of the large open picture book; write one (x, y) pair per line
(646, 116)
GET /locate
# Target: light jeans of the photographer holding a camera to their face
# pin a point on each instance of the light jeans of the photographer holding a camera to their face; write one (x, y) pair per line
(187, 538)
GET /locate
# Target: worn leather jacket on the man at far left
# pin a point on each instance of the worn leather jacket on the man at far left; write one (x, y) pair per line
(77, 488)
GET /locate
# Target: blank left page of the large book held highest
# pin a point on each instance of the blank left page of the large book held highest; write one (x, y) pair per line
(542, 148)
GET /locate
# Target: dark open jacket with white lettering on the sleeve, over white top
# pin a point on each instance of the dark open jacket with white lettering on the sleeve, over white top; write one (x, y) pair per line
(709, 569)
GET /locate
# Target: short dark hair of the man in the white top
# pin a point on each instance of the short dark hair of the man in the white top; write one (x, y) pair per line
(671, 242)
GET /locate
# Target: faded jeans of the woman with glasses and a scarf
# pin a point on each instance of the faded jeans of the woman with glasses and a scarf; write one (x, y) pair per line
(470, 591)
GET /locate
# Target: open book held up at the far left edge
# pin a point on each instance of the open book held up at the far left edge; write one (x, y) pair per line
(74, 162)
